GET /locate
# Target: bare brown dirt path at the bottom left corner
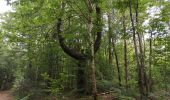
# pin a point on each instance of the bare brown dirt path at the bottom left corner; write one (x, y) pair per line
(5, 95)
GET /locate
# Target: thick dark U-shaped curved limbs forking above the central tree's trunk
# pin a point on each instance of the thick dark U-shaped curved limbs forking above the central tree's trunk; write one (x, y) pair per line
(71, 51)
